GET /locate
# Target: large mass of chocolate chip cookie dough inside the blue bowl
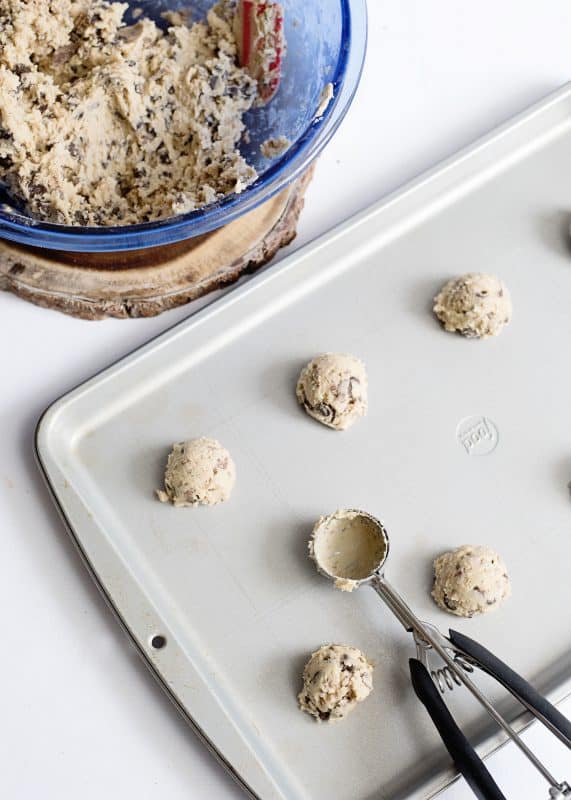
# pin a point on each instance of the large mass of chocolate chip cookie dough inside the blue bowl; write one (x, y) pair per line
(107, 124)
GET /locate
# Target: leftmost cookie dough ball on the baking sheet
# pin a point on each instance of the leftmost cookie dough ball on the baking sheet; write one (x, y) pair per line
(198, 472)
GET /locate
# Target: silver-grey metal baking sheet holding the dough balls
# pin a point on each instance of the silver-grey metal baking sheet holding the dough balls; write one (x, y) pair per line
(231, 588)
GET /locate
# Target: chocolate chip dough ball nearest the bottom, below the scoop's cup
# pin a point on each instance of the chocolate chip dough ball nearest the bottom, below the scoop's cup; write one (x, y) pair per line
(335, 679)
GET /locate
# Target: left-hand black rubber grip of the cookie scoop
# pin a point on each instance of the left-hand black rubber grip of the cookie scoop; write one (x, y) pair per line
(467, 761)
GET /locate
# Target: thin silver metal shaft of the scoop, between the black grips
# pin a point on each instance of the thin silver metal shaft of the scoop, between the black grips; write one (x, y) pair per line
(442, 646)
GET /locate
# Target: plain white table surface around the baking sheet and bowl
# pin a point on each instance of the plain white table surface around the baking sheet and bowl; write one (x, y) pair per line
(81, 716)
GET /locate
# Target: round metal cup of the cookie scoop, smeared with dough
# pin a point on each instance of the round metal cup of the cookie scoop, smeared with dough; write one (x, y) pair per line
(348, 546)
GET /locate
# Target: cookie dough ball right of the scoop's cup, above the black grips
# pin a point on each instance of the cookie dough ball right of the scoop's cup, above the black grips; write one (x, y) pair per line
(470, 580)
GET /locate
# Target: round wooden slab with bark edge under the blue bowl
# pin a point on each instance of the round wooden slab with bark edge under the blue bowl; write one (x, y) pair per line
(143, 283)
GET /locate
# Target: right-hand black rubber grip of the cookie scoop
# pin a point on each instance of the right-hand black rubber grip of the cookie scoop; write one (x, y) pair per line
(524, 691)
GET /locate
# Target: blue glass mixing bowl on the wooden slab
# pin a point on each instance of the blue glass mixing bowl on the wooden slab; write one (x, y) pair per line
(326, 41)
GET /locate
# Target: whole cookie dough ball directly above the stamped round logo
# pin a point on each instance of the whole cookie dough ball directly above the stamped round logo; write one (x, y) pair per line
(476, 305)
